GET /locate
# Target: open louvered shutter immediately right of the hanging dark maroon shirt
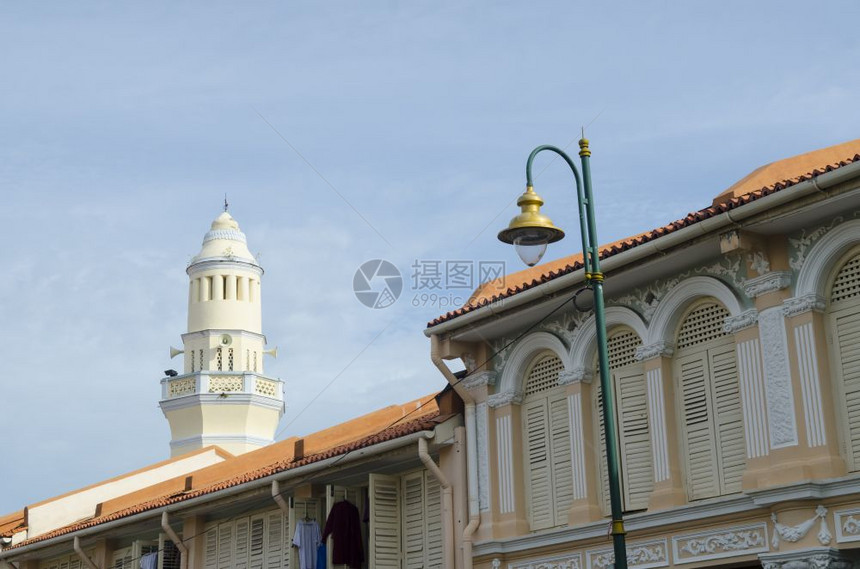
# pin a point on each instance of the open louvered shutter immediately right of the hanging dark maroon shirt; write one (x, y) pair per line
(385, 538)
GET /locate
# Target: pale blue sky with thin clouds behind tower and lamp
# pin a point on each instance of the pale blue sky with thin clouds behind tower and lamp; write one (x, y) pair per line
(124, 125)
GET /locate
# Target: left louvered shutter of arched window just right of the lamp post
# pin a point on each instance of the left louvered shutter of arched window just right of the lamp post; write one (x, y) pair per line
(699, 448)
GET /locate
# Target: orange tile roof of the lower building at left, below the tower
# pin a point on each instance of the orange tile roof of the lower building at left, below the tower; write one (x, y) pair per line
(276, 458)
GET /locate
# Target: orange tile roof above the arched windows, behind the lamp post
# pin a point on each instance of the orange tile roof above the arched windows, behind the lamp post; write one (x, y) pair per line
(787, 172)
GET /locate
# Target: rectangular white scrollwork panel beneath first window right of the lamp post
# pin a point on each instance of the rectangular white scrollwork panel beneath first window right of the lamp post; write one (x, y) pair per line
(717, 544)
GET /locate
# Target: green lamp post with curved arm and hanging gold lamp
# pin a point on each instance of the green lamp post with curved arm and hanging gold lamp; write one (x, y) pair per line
(530, 232)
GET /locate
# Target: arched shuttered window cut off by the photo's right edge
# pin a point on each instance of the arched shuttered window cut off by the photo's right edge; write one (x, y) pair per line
(844, 323)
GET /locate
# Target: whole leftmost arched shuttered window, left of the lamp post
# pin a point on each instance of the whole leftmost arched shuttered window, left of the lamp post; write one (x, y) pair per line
(546, 438)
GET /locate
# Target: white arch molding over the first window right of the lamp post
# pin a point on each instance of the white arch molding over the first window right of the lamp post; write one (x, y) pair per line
(673, 305)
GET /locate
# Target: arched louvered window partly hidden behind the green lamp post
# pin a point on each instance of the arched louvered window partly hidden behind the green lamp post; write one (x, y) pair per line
(631, 412)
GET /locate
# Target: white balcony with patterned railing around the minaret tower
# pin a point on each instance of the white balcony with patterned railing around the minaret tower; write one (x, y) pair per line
(221, 384)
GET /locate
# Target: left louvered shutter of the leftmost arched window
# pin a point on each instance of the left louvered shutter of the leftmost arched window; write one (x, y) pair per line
(538, 464)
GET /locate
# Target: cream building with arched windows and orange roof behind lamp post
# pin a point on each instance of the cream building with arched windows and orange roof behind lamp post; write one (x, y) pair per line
(734, 347)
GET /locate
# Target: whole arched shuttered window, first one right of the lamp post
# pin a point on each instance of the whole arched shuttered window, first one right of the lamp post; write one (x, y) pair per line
(709, 403)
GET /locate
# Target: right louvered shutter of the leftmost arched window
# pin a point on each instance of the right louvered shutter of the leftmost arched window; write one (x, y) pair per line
(559, 444)
